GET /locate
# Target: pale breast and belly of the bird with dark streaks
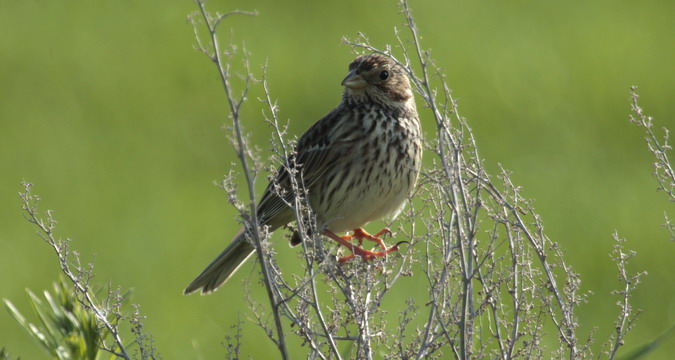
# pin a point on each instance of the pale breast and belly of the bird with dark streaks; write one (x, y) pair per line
(376, 172)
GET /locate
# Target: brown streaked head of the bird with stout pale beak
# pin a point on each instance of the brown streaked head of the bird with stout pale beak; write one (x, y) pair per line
(375, 77)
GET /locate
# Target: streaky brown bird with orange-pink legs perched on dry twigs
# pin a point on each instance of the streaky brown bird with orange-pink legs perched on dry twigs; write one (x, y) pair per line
(358, 164)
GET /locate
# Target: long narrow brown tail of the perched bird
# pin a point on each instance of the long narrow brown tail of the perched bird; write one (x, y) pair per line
(223, 266)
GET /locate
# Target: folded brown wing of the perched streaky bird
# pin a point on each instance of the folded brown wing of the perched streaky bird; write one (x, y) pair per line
(315, 154)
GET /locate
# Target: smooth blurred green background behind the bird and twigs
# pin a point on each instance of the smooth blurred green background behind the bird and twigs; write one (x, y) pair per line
(108, 110)
